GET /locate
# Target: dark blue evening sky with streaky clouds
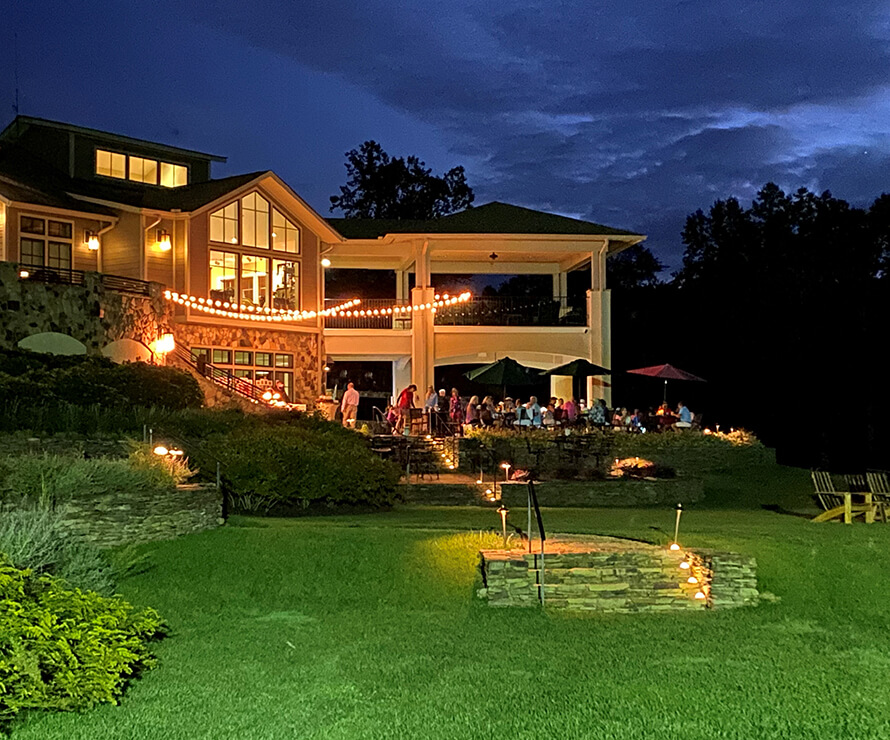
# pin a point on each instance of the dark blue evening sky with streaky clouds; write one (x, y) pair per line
(630, 113)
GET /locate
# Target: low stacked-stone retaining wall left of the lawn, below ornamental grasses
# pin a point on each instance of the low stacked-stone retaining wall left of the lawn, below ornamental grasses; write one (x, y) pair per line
(141, 516)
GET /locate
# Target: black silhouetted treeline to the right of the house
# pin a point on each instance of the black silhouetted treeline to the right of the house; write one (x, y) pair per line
(783, 307)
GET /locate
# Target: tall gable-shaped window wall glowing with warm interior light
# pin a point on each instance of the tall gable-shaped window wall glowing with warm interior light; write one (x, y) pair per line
(256, 262)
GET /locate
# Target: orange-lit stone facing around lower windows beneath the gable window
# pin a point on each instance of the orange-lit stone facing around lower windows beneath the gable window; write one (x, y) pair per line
(304, 346)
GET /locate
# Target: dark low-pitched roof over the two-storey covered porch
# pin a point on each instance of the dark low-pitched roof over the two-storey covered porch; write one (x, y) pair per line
(491, 218)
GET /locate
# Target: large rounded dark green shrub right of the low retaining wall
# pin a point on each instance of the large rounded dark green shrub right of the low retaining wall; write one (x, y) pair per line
(269, 467)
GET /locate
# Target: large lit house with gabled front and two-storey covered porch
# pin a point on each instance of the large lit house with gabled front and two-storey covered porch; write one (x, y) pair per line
(243, 262)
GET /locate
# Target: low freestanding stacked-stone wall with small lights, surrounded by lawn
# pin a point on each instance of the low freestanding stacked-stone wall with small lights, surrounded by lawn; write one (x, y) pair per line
(619, 577)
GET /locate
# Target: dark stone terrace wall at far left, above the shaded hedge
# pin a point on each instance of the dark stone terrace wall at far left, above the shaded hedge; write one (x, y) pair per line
(89, 313)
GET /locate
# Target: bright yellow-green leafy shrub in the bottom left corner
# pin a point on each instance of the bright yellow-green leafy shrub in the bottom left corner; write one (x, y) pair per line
(66, 649)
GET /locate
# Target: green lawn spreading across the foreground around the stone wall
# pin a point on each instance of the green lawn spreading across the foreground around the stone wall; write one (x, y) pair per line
(367, 627)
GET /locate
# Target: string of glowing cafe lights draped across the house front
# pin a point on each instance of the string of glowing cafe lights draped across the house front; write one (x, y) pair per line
(349, 309)
